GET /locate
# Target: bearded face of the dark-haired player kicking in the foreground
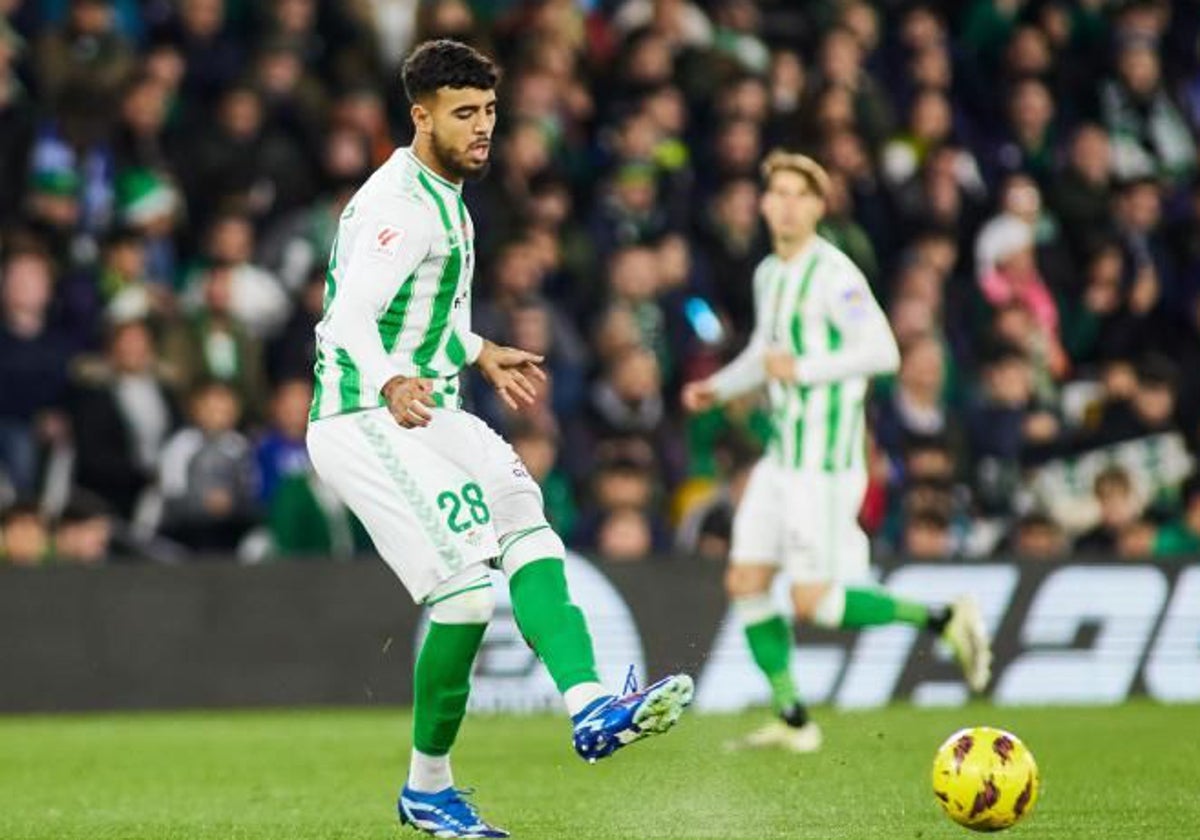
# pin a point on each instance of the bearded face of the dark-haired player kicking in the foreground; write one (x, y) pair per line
(460, 123)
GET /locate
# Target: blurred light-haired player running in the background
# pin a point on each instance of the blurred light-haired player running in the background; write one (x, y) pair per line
(819, 338)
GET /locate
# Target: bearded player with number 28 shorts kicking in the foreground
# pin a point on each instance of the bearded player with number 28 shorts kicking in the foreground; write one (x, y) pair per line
(440, 493)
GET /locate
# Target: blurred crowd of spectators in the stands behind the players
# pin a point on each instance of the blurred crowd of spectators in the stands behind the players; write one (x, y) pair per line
(1018, 179)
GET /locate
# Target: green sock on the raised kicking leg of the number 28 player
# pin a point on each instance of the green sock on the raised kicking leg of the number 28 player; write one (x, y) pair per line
(554, 627)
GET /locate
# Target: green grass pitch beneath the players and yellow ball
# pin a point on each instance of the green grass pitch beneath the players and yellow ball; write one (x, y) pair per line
(1130, 772)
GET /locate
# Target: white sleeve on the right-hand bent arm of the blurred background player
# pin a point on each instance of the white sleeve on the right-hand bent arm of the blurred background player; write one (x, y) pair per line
(868, 347)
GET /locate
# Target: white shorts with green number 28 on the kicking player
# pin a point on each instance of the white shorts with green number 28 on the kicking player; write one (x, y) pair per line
(436, 501)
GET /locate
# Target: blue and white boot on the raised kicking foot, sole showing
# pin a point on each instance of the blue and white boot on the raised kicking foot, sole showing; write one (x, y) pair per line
(610, 723)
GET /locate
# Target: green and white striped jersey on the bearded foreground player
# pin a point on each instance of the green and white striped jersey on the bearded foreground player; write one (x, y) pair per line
(398, 291)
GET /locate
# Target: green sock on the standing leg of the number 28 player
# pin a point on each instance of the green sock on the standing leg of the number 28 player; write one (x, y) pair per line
(442, 685)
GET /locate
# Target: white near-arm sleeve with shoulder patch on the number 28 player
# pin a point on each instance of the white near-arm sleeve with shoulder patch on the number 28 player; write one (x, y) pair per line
(388, 247)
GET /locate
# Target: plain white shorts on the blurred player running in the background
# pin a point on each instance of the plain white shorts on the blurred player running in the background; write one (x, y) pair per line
(805, 523)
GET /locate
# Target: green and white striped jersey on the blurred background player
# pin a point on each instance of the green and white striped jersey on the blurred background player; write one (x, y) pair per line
(820, 308)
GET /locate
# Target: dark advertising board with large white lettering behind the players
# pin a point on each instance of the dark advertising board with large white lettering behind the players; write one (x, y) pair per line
(305, 634)
